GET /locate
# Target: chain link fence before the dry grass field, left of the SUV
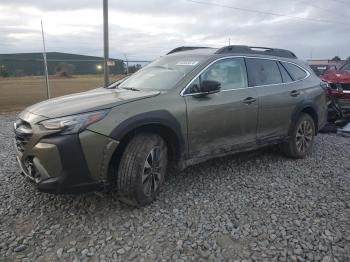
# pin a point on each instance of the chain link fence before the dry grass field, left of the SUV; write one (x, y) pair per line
(22, 77)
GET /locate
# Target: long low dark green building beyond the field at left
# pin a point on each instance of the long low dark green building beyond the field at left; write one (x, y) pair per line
(31, 64)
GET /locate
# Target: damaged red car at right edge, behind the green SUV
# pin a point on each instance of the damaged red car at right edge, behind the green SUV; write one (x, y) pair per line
(339, 82)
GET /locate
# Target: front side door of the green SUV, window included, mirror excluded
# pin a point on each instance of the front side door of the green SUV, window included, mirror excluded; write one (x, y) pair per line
(224, 120)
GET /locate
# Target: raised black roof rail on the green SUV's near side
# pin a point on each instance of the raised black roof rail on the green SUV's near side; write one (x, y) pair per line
(256, 50)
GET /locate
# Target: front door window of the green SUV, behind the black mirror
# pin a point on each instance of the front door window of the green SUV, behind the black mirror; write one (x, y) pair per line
(230, 73)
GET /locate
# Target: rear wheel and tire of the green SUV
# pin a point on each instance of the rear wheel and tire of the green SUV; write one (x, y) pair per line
(301, 141)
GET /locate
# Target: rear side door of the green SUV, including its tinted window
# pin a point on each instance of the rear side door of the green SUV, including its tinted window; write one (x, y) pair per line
(277, 97)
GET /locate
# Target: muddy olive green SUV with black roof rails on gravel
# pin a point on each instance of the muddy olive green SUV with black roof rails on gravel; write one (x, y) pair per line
(190, 105)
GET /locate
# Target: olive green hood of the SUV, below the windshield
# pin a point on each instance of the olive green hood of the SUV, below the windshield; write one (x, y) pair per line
(97, 99)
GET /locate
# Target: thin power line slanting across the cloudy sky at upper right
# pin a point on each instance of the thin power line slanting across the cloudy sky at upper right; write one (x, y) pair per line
(267, 13)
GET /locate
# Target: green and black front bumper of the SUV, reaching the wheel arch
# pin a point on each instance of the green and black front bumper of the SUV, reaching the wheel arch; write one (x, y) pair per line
(65, 163)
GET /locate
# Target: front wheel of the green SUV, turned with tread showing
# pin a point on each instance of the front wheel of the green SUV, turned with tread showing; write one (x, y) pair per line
(142, 169)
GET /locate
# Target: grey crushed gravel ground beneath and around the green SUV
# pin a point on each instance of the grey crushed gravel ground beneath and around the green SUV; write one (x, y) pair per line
(258, 206)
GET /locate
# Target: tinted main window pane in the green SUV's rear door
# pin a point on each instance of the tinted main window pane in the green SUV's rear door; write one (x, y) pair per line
(263, 72)
